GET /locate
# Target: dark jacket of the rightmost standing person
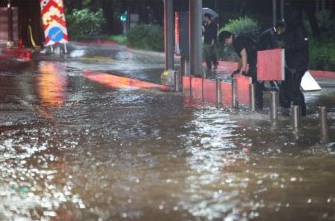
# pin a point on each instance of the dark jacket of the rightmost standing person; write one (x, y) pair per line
(296, 41)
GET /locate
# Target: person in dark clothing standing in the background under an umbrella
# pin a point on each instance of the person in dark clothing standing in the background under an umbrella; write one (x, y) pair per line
(210, 38)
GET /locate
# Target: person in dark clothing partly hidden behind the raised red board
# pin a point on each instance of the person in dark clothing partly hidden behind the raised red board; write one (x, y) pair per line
(269, 40)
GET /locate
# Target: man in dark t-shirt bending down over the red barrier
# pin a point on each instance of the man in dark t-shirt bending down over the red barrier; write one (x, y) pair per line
(246, 49)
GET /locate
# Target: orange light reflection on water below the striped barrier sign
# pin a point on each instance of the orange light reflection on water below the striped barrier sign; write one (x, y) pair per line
(51, 84)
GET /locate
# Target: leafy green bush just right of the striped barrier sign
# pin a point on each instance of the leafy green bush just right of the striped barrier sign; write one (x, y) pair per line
(84, 24)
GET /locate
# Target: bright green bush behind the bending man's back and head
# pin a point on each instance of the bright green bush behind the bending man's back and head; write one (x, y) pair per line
(243, 25)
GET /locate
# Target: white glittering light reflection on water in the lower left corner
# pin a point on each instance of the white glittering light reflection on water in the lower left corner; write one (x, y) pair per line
(32, 181)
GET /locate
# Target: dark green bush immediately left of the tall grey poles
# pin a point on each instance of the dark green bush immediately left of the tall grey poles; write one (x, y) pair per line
(147, 37)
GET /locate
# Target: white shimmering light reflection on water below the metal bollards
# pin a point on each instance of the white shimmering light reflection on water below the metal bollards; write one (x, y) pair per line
(211, 192)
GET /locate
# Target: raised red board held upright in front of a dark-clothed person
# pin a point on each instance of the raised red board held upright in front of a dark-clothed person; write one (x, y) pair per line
(270, 65)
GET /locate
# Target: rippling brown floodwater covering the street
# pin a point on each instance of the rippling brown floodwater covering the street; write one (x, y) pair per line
(72, 149)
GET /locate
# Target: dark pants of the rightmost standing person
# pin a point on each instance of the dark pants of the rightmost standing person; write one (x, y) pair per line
(290, 92)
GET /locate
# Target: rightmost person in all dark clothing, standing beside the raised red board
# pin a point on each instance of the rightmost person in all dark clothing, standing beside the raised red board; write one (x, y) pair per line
(296, 56)
